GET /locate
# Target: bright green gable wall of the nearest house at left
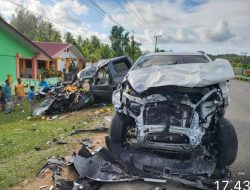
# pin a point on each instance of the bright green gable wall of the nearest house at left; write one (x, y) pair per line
(9, 47)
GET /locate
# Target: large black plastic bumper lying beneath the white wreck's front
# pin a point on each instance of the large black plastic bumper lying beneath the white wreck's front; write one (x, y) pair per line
(117, 164)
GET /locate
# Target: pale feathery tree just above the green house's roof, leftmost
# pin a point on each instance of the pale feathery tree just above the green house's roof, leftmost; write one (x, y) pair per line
(25, 22)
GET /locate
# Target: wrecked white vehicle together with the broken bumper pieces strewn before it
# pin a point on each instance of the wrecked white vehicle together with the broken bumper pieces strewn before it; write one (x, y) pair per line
(169, 125)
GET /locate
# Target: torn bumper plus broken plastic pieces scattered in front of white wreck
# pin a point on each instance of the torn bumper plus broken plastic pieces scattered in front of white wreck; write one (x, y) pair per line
(116, 164)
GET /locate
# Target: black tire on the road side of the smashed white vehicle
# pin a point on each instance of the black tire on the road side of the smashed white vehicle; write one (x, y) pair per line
(228, 143)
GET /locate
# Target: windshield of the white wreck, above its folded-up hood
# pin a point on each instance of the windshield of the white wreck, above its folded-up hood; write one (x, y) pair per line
(161, 60)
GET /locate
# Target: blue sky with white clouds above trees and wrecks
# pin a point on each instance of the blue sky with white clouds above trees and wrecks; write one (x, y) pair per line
(213, 26)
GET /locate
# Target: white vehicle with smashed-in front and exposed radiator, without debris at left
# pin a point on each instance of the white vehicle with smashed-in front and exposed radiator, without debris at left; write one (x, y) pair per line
(171, 106)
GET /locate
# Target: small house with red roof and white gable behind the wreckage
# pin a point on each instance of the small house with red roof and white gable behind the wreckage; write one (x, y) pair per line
(63, 54)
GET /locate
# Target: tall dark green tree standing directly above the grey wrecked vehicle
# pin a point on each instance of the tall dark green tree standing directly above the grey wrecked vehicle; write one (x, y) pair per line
(119, 40)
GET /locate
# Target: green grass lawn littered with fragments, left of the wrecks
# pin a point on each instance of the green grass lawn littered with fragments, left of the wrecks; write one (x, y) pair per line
(19, 137)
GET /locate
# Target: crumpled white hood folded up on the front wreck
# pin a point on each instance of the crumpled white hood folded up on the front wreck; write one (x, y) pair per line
(185, 75)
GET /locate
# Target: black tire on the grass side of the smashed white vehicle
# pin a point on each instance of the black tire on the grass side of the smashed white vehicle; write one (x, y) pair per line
(118, 129)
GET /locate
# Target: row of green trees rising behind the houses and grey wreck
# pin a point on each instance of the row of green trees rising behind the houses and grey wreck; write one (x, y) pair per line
(92, 48)
